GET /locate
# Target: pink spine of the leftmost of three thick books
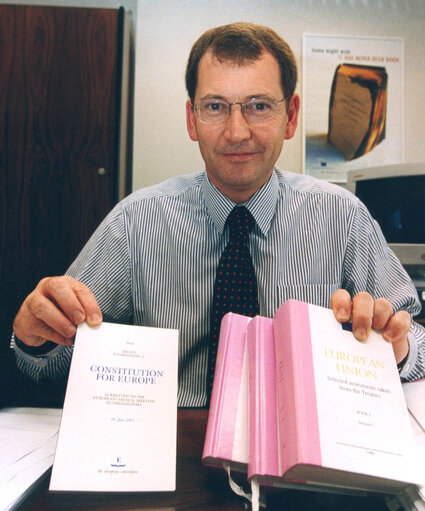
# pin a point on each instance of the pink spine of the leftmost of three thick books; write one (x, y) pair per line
(220, 431)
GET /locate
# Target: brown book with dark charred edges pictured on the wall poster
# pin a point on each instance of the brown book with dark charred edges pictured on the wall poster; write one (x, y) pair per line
(357, 109)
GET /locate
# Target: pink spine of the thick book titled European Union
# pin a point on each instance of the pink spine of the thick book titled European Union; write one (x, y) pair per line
(298, 418)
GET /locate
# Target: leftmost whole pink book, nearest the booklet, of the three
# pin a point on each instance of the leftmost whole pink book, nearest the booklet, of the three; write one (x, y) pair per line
(226, 439)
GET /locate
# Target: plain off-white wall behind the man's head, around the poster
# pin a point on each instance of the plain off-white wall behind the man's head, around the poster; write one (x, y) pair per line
(166, 30)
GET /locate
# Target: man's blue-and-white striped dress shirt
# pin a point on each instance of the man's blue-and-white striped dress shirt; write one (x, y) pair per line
(152, 262)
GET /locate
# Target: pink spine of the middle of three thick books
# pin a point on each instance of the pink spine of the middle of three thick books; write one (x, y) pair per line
(263, 425)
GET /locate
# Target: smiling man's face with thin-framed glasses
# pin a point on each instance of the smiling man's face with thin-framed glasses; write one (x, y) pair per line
(239, 156)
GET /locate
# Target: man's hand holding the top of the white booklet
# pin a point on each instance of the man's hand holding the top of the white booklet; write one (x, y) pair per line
(54, 309)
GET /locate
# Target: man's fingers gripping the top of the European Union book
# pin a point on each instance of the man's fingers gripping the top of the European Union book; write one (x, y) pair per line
(367, 313)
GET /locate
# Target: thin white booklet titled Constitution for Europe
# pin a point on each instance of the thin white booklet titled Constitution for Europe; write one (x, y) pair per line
(119, 421)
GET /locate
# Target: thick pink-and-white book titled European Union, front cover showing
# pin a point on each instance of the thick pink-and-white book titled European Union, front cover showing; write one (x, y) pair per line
(343, 419)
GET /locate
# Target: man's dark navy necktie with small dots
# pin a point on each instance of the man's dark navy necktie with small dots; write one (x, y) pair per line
(235, 287)
